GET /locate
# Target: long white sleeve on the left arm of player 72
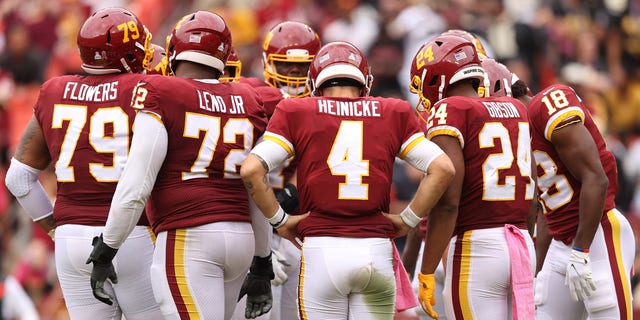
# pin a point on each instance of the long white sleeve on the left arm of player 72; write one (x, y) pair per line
(148, 150)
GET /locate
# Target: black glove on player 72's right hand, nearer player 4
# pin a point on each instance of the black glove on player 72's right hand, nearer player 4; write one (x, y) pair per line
(257, 287)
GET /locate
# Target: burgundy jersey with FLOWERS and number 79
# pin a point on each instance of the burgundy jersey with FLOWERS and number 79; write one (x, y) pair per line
(86, 121)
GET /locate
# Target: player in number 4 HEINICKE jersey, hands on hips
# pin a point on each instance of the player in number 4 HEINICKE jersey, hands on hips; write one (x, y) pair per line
(344, 177)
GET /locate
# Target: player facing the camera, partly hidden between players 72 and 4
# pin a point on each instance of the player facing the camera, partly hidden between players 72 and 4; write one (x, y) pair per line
(288, 49)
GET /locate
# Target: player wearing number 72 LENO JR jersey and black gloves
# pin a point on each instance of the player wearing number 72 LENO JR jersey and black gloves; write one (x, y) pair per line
(192, 133)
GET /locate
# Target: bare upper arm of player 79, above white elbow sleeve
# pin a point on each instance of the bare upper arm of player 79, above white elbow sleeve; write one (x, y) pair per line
(32, 149)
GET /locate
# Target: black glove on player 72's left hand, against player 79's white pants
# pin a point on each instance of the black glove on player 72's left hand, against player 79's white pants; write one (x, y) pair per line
(101, 256)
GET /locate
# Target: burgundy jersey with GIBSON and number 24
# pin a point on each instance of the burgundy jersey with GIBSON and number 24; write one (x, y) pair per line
(495, 140)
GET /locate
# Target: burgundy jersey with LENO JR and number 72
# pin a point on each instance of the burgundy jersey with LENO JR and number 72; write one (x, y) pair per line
(211, 129)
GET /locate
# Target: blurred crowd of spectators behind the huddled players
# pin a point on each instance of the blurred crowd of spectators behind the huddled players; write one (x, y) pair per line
(594, 46)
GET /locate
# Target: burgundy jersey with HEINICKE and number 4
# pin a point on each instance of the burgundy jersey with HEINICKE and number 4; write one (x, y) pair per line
(345, 149)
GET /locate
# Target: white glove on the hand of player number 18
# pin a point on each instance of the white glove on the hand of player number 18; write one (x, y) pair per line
(578, 276)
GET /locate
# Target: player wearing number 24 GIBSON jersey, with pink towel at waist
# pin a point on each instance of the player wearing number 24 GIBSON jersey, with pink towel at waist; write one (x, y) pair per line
(492, 193)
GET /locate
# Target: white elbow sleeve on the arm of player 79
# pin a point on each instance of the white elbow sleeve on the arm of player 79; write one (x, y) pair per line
(22, 181)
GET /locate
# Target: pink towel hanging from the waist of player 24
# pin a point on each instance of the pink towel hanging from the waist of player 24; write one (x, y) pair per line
(523, 304)
